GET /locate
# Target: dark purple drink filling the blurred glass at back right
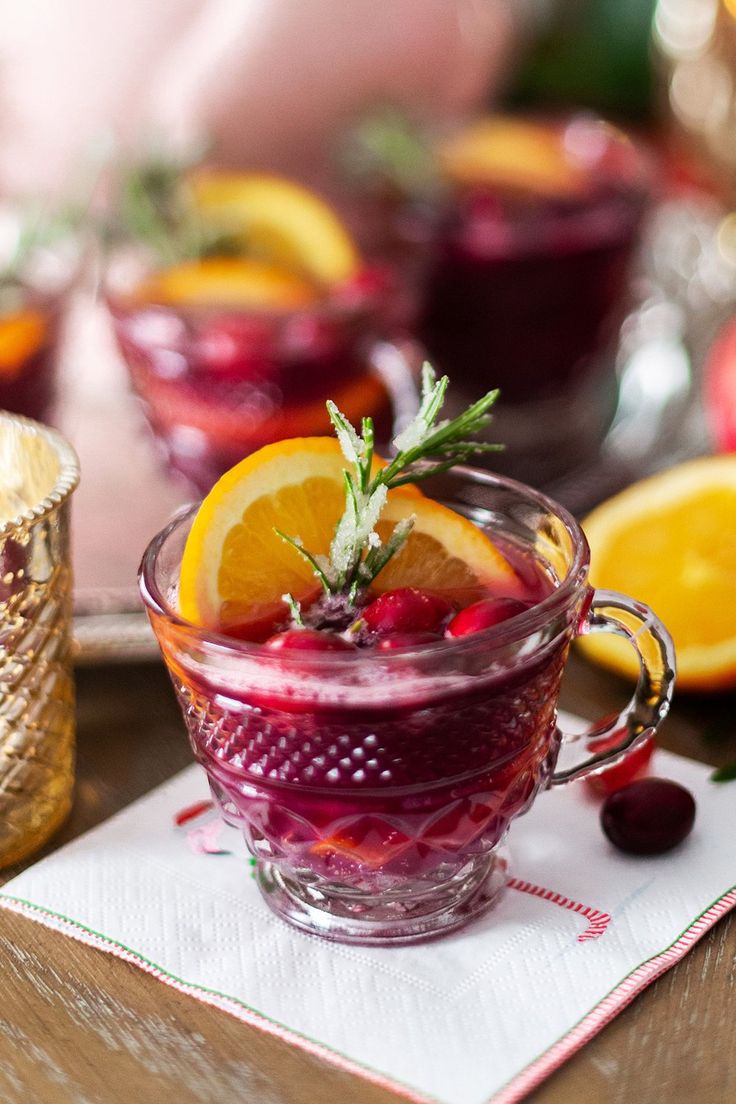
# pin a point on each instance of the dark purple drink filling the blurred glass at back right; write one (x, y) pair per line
(526, 296)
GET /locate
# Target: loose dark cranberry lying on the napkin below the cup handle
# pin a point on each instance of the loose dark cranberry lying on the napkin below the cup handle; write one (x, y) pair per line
(649, 816)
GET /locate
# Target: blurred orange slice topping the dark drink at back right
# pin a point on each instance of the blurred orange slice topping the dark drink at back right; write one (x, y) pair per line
(507, 153)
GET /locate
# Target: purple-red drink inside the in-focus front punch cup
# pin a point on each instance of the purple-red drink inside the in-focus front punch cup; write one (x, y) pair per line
(376, 794)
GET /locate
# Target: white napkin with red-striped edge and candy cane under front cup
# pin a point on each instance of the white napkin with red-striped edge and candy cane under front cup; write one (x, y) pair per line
(482, 1015)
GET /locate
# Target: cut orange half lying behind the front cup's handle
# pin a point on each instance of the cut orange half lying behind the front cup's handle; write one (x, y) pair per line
(670, 542)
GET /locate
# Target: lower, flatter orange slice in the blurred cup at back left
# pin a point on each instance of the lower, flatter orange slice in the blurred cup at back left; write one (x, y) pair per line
(229, 282)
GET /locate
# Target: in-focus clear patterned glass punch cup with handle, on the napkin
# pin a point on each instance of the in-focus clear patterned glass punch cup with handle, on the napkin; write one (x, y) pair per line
(376, 788)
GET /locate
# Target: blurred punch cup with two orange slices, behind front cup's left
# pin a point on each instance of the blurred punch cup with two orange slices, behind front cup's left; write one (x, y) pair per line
(242, 344)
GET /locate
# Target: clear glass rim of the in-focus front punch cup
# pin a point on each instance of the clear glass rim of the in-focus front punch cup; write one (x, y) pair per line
(519, 628)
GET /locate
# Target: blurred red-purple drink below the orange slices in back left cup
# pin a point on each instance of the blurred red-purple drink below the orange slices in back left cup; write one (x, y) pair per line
(218, 385)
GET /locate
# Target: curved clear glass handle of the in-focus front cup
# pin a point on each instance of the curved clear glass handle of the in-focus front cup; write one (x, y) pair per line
(610, 739)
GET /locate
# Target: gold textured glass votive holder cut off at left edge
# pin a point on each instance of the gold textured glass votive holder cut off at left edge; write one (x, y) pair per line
(39, 471)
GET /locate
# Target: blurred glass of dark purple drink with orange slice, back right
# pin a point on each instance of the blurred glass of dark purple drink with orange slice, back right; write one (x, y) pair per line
(529, 280)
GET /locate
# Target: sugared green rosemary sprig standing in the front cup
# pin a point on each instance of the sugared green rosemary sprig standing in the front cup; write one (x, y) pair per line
(426, 448)
